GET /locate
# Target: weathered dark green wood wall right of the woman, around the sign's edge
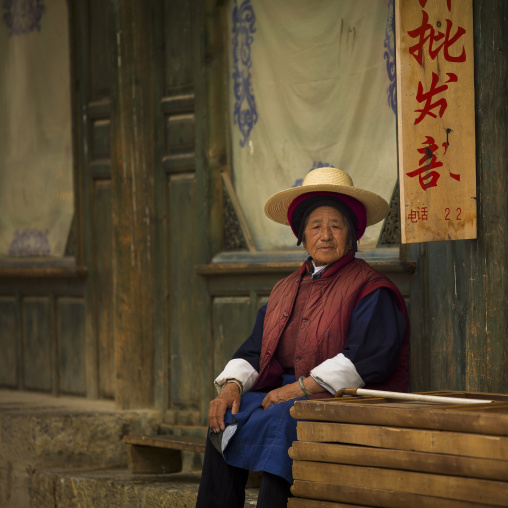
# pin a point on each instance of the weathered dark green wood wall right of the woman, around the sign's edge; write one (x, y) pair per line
(459, 297)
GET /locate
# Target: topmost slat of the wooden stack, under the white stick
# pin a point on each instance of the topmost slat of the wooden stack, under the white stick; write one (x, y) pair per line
(490, 419)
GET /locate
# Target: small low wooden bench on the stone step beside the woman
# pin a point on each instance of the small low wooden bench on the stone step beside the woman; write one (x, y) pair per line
(160, 454)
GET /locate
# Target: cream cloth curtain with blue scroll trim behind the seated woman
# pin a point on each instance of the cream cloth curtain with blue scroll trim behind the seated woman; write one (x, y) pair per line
(311, 84)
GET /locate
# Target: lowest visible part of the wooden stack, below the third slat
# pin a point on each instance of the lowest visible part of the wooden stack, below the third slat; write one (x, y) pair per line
(327, 495)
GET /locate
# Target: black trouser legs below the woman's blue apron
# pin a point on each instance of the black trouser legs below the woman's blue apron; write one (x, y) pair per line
(223, 486)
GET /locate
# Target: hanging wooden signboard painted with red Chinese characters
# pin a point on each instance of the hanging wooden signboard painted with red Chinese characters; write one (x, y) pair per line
(435, 98)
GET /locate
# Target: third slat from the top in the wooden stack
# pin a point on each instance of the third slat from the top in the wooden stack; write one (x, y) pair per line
(436, 463)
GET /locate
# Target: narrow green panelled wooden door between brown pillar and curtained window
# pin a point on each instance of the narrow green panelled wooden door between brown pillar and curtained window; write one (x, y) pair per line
(184, 336)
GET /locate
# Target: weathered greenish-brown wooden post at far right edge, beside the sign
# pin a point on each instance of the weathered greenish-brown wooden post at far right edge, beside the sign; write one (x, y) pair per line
(486, 345)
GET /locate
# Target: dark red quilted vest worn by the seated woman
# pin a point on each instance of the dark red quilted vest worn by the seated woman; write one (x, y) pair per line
(325, 321)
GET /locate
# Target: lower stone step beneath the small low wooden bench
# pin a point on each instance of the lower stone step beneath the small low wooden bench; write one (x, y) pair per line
(117, 488)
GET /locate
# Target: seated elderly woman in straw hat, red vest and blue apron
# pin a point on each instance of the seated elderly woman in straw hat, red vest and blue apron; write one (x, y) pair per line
(334, 323)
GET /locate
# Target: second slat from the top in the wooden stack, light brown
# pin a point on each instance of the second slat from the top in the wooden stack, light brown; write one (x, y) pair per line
(432, 441)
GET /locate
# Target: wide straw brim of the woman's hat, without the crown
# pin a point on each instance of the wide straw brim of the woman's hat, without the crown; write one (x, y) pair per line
(276, 208)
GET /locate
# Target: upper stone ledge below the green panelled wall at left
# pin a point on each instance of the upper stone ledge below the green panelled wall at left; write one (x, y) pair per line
(41, 432)
